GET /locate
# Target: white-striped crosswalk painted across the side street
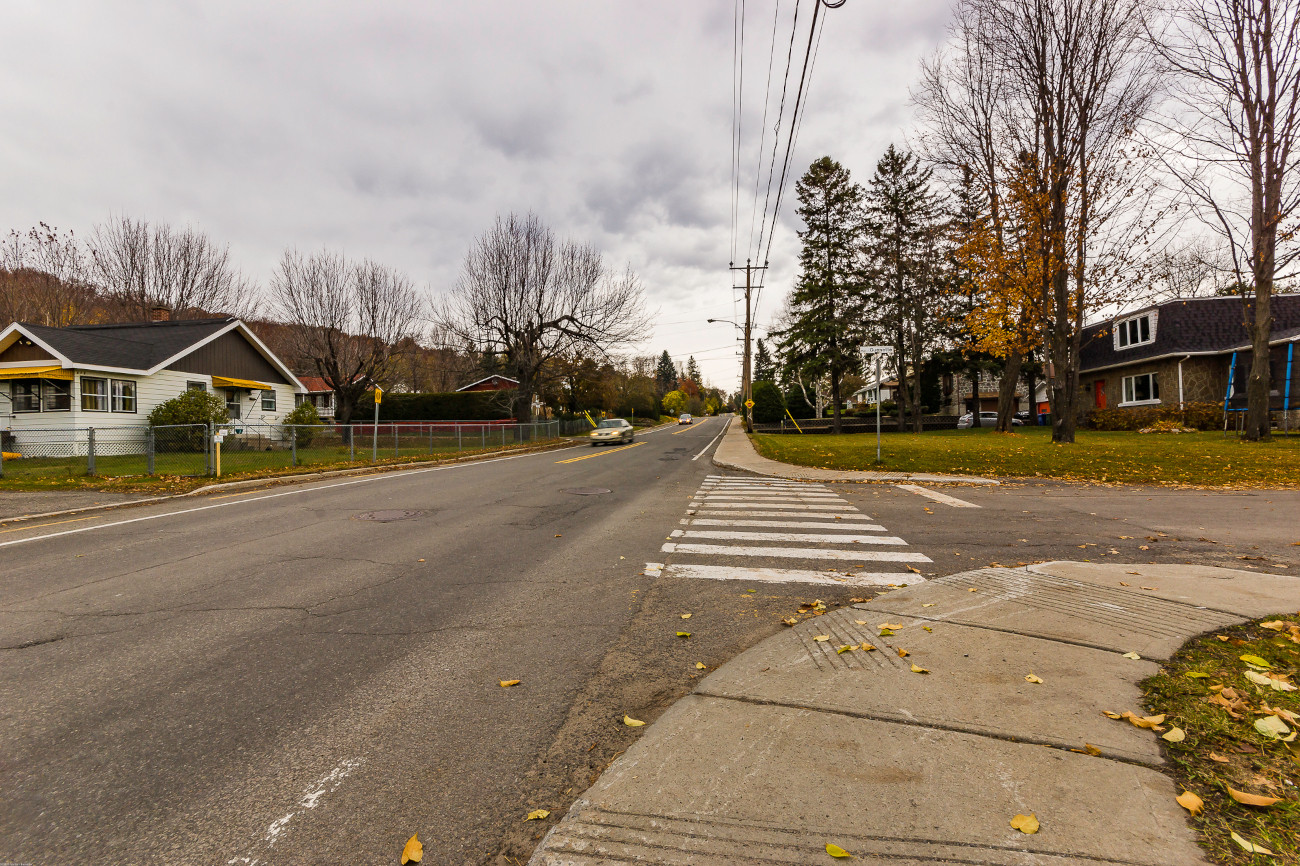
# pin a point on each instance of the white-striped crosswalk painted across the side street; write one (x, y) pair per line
(736, 523)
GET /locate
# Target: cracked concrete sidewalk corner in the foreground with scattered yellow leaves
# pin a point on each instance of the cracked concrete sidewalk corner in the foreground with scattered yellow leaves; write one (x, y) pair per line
(792, 744)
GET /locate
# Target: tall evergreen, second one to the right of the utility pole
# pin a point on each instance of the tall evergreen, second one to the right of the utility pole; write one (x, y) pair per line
(904, 232)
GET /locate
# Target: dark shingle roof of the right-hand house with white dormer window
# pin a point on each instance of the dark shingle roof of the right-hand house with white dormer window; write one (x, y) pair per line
(1188, 326)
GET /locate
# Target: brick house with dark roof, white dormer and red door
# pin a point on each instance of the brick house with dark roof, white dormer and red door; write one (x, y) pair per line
(1193, 350)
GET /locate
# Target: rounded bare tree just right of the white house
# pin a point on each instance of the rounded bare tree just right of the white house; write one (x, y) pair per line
(345, 321)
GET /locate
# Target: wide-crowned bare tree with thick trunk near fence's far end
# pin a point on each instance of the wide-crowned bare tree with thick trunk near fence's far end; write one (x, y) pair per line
(535, 300)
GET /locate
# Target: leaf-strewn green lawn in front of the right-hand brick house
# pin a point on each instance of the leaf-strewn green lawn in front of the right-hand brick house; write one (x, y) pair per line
(1207, 460)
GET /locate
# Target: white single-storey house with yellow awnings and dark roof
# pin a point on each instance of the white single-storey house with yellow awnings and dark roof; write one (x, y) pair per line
(112, 376)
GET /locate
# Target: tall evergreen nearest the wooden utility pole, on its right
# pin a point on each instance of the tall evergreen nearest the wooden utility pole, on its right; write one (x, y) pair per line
(824, 335)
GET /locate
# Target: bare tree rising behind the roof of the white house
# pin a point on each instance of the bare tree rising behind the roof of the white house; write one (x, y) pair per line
(142, 267)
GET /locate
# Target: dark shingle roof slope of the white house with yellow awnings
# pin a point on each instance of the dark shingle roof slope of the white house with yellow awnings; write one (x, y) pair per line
(132, 345)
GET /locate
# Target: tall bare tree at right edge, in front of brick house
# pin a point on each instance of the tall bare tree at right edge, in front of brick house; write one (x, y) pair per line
(1238, 70)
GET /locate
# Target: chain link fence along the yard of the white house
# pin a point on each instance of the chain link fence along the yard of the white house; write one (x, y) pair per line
(239, 448)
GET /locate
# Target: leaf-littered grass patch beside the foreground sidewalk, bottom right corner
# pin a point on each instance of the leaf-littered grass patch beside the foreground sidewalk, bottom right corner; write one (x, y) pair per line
(1224, 748)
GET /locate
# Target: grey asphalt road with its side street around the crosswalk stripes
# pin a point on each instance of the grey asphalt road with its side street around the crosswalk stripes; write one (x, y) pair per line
(266, 678)
